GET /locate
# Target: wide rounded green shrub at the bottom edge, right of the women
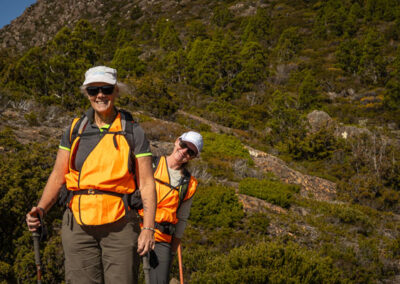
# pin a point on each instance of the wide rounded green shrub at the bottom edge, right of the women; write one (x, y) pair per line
(269, 262)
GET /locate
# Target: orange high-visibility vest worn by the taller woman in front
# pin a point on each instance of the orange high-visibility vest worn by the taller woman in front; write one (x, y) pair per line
(105, 170)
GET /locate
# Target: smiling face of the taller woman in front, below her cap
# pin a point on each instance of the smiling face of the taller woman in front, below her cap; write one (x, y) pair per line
(102, 103)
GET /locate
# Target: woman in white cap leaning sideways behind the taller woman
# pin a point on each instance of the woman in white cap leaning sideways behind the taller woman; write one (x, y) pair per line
(175, 188)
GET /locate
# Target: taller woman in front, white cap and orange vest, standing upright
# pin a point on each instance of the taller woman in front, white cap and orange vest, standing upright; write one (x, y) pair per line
(102, 159)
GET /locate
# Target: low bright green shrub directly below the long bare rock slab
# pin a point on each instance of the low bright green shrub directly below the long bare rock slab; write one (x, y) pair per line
(274, 192)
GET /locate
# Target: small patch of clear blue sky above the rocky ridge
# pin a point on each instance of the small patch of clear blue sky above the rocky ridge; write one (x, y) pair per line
(11, 9)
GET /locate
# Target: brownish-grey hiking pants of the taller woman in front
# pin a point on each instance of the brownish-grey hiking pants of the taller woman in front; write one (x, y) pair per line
(101, 254)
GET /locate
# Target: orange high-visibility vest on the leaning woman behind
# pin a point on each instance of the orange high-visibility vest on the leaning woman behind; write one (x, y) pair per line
(168, 199)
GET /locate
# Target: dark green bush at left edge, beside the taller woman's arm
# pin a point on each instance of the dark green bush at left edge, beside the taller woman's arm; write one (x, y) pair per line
(24, 170)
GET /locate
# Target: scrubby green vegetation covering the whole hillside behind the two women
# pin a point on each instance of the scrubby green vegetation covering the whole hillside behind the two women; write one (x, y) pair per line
(259, 68)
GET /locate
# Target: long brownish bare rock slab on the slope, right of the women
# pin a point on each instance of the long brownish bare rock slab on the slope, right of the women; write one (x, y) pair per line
(311, 186)
